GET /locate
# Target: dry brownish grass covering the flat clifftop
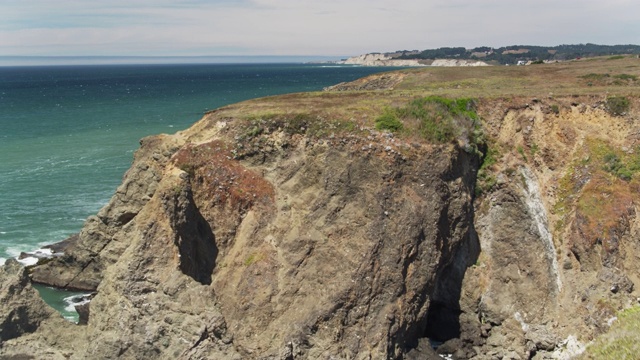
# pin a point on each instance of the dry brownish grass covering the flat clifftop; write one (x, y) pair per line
(330, 112)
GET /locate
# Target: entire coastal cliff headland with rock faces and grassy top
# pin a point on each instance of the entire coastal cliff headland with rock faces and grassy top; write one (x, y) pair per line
(339, 224)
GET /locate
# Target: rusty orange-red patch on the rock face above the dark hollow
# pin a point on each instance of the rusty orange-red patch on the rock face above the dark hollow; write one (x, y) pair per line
(219, 178)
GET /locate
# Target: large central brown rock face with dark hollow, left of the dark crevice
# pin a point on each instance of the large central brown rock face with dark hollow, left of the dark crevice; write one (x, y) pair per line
(302, 248)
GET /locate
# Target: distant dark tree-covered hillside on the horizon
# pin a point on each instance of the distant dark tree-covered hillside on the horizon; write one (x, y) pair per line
(514, 53)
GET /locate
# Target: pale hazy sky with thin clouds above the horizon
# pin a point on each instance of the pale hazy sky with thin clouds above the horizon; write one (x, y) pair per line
(304, 27)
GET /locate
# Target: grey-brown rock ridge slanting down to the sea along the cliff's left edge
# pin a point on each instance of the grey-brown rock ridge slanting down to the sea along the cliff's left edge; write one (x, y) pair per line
(98, 245)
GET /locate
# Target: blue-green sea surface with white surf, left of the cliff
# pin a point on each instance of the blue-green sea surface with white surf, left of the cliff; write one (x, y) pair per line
(68, 133)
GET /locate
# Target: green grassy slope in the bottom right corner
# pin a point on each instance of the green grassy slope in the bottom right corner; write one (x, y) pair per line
(622, 341)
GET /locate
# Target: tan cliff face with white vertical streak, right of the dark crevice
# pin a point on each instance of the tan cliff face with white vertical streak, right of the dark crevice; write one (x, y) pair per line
(557, 232)
